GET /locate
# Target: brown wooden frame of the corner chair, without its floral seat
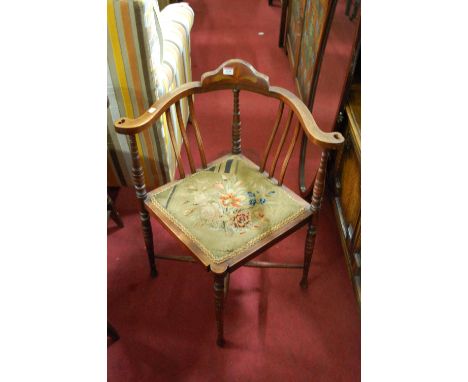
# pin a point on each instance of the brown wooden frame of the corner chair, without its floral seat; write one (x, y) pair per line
(238, 76)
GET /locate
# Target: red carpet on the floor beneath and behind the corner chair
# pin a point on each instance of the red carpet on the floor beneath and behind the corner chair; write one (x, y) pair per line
(274, 330)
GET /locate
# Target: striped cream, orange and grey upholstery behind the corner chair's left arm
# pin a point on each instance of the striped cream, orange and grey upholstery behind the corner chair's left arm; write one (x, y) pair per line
(148, 54)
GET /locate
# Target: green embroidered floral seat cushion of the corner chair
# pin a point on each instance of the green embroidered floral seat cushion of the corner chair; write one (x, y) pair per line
(227, 208)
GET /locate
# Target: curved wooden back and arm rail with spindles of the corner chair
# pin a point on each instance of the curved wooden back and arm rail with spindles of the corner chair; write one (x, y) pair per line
(239, 75)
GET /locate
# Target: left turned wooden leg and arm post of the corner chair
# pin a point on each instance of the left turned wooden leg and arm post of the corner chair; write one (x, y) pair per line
(140, 189)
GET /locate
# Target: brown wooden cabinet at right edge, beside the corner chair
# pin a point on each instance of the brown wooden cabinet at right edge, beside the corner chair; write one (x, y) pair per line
(346, 186)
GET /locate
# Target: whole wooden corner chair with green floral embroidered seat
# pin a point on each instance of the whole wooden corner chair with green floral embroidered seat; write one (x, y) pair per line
(231, 209)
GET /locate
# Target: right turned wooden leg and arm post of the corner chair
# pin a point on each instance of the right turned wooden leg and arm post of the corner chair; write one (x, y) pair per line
(315, 206)
